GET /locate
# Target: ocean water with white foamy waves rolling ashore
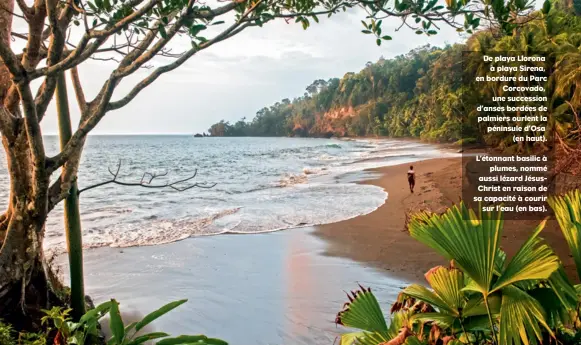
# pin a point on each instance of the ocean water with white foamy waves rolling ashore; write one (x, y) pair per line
(262, 185)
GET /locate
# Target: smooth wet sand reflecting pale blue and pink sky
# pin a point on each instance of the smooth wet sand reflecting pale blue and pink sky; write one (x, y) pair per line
(264, 289)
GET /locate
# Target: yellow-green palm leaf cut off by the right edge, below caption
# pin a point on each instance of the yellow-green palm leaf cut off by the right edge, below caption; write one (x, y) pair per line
(568, 213)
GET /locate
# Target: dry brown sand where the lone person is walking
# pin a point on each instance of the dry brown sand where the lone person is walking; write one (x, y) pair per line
(380, 238)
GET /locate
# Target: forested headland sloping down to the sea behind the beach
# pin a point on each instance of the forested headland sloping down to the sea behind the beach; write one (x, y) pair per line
(422, 94)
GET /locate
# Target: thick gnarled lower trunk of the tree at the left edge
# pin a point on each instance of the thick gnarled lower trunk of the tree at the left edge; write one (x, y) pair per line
(26, 282)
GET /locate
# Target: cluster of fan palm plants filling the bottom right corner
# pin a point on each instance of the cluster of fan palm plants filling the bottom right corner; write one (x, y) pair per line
(481, 297)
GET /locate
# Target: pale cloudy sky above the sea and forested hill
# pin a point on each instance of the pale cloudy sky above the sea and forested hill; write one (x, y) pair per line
(239, 76)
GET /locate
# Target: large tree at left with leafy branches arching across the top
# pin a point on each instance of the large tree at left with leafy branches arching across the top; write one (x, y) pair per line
(61, 36)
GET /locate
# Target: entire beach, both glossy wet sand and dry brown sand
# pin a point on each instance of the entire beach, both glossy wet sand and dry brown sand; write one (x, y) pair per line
(285, 287)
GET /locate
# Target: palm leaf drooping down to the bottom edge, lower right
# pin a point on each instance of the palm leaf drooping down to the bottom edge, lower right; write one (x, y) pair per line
(522, 318)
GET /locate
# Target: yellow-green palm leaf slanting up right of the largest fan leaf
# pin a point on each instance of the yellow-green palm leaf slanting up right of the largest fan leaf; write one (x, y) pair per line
(534, 260)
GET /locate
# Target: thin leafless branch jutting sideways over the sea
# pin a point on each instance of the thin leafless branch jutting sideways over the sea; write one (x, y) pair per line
(148, 178)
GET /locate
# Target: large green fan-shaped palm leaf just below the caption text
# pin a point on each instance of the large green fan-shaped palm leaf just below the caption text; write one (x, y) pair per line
(458, 234)
